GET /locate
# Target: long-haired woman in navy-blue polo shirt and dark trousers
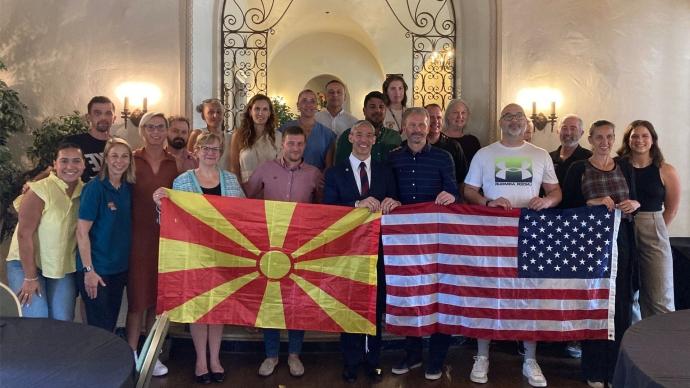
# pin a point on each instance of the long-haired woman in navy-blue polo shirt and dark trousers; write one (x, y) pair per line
(104, 235)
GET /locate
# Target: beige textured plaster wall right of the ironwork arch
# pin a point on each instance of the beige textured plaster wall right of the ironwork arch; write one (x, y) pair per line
(616, 59)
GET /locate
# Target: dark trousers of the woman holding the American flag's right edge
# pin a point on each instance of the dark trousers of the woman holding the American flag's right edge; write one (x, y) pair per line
(599, 356)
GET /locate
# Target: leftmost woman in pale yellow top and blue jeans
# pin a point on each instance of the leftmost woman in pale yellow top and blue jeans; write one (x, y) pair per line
(41, 261)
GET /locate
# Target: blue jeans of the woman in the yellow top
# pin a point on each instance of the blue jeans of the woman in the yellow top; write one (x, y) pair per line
(58, 296)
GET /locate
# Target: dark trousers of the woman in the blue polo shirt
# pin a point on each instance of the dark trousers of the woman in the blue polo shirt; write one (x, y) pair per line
(103, 310)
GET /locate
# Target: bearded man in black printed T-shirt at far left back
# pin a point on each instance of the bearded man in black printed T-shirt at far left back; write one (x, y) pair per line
(101, 116)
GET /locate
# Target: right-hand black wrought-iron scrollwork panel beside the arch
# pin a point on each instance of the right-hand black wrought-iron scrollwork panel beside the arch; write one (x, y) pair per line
(431, 25)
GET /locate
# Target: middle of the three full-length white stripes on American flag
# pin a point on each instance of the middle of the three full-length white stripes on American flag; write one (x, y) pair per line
(498, 304)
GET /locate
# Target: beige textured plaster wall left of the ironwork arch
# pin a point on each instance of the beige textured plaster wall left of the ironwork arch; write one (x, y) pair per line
(61, 53)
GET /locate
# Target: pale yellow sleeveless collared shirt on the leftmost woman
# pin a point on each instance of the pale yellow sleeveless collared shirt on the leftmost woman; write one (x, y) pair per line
(55, 250)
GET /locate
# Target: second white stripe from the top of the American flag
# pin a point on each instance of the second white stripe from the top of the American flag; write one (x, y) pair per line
(451, 239)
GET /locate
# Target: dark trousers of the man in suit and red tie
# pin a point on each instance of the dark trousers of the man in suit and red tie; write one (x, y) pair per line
(355, 346)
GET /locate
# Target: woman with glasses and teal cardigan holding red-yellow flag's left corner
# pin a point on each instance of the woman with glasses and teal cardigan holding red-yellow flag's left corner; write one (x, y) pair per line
(208, 178)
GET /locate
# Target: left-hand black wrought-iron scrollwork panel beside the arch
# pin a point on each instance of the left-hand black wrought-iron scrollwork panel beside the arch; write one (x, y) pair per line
(244, 52)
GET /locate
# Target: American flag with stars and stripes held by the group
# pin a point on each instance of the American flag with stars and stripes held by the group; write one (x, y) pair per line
(489, 273)
